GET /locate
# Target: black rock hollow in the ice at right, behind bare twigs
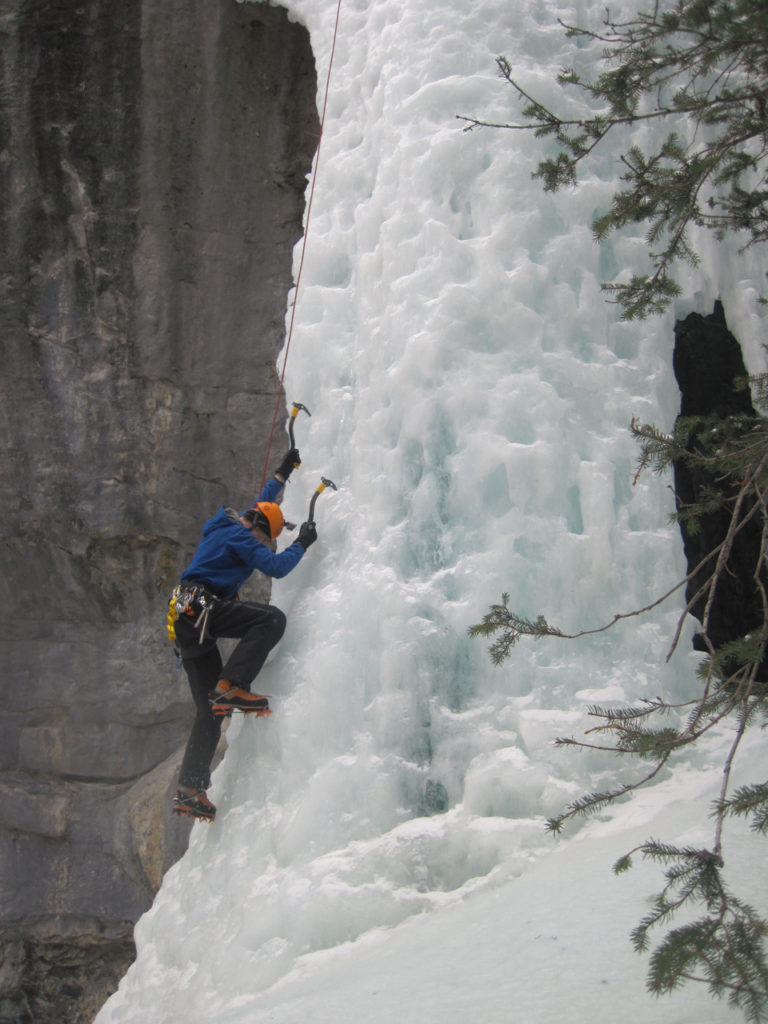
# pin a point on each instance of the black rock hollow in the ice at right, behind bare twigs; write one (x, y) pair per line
(708, 362)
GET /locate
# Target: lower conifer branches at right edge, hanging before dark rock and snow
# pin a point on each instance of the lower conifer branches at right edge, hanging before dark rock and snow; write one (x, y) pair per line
(726, 946)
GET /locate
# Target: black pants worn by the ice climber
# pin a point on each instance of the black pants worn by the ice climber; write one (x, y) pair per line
(260, 628)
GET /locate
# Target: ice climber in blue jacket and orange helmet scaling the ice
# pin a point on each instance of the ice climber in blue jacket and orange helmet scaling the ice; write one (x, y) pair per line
(205, 608)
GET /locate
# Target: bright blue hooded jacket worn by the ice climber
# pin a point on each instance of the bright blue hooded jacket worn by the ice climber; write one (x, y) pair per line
(229, 552)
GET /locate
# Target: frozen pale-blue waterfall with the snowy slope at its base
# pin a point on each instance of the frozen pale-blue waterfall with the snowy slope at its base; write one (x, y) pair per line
(380, 850)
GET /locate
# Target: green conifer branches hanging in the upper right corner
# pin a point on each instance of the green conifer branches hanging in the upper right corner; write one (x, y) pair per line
(693, 63)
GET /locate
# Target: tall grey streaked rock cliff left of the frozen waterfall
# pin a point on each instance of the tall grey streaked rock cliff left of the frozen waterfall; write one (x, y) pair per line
(154, 158)
